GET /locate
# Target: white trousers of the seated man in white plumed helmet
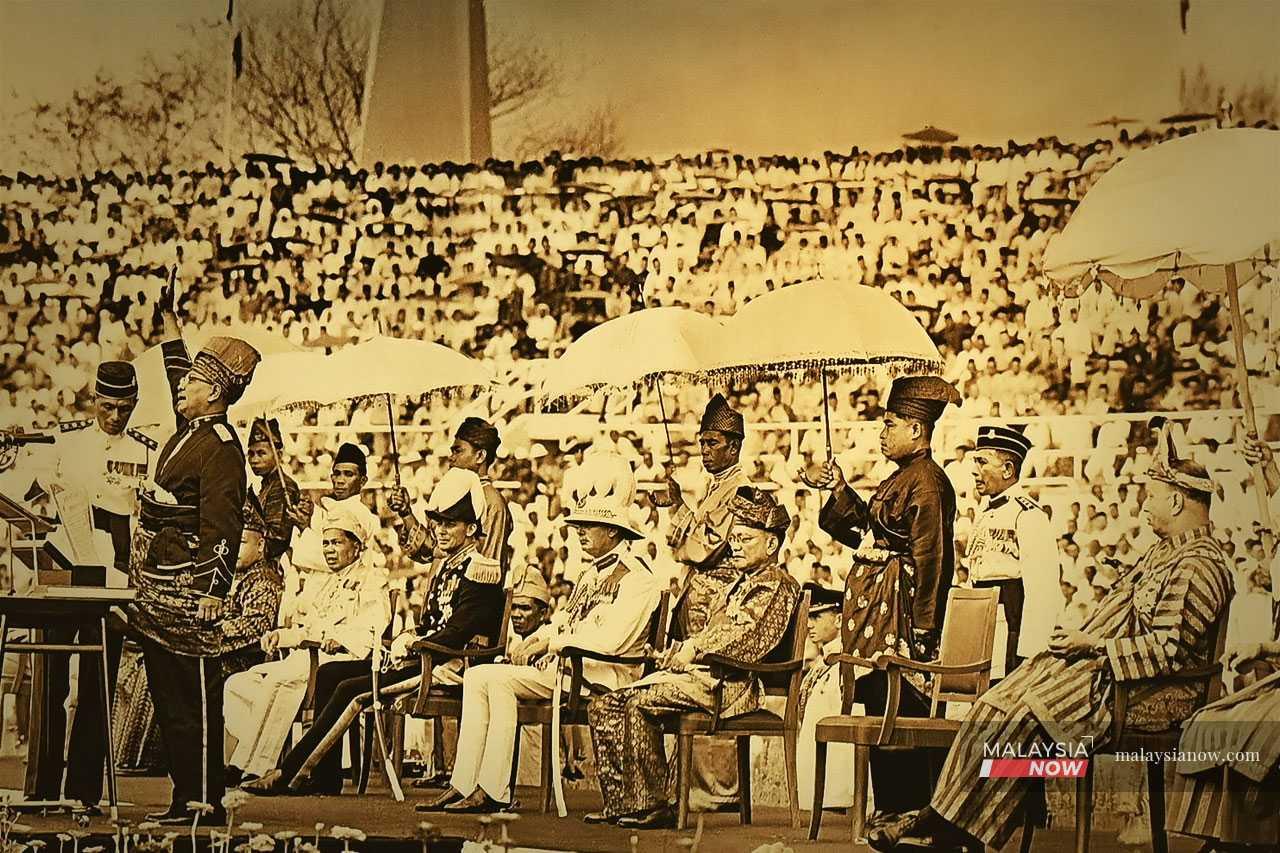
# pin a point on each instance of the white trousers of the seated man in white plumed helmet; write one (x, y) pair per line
(487, 736)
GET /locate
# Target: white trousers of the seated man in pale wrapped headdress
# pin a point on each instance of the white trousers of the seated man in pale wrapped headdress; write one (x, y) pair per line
(260, 706)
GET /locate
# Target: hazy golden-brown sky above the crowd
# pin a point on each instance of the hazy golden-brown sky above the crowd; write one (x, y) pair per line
(769, 76)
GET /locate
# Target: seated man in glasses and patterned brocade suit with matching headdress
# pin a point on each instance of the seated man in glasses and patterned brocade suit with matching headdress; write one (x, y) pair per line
(747, 627)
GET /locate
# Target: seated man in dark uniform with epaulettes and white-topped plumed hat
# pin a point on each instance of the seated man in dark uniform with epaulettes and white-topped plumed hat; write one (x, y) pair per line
(464, 606)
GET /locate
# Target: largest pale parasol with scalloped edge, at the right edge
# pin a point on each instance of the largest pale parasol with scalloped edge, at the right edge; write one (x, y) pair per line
(1199, 208)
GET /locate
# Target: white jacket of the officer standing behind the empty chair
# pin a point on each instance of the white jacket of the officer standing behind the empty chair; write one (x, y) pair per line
(1013, 539)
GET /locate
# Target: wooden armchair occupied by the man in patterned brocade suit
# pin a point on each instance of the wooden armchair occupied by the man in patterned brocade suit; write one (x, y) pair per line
(780, 674)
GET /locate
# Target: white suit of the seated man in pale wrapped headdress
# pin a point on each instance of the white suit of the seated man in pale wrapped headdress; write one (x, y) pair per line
(260, 705)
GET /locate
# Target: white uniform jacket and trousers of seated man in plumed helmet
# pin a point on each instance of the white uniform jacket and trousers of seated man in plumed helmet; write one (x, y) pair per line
(591, 621)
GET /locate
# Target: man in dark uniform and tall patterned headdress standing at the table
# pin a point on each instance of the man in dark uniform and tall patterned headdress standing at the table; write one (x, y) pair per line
(184, 563)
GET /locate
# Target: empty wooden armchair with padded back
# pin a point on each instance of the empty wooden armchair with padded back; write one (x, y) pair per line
(961, 674)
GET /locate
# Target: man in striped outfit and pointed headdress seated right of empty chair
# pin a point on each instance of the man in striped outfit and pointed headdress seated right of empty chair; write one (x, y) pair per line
(1155, 622)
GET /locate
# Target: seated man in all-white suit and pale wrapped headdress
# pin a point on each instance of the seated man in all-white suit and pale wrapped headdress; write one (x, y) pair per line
(341, 612)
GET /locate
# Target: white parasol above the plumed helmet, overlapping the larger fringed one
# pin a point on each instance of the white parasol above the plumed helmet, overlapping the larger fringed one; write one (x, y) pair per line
(634, 349)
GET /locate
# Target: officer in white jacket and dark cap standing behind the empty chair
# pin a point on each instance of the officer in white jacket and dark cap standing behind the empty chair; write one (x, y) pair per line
(1013, 548)
